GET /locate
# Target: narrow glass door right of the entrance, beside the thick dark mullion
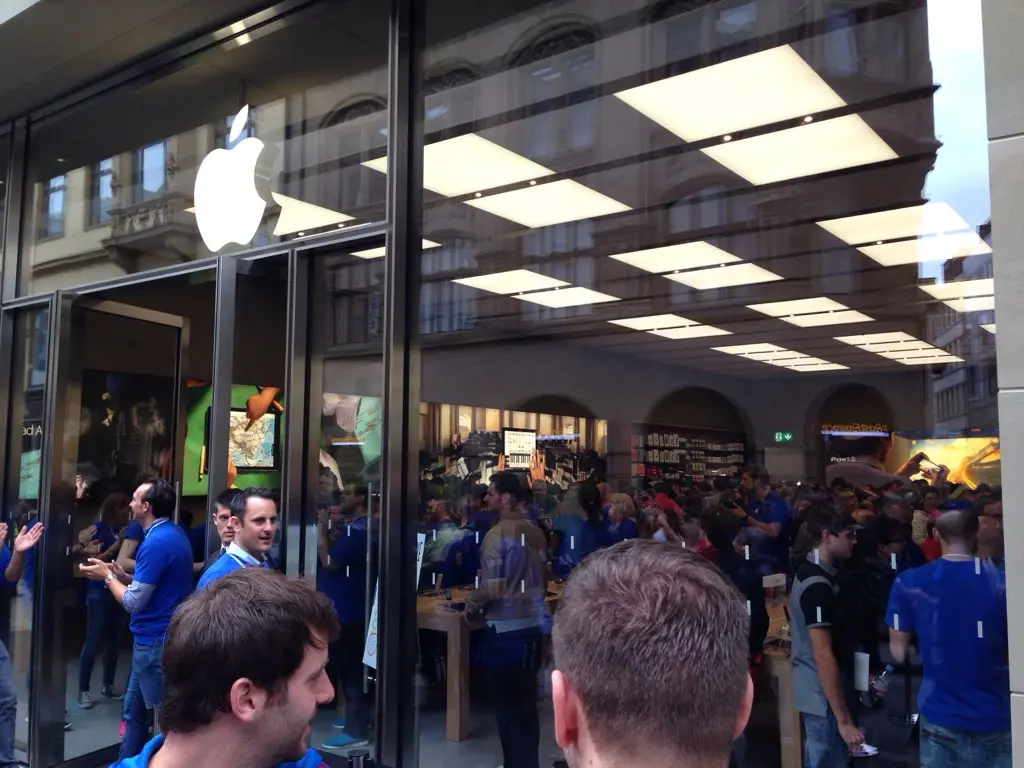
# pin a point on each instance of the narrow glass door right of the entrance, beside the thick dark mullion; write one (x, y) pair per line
(334, 467)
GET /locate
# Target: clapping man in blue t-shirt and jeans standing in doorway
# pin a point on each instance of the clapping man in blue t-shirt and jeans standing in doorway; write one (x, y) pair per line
(163, 579)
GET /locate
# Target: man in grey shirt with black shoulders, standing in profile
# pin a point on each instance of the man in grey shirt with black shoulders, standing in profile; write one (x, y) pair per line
(831, 733)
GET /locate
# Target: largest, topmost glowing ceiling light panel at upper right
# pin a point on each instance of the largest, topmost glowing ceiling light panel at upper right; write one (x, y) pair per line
(755, 91)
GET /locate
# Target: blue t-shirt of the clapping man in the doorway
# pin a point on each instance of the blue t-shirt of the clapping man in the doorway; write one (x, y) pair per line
(164, 561)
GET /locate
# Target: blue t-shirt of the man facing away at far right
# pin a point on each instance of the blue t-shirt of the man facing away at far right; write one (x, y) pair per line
(966, 682)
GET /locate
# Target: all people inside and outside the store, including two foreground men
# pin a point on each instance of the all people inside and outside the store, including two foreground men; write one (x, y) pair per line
(906, 571)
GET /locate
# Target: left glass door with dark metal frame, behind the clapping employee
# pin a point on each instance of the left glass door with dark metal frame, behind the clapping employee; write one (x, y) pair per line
(116, 380)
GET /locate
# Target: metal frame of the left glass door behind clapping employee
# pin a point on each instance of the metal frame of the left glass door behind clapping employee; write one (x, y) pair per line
(57, 498)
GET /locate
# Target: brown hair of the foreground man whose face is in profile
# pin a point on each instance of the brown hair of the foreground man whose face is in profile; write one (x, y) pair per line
(252, 623)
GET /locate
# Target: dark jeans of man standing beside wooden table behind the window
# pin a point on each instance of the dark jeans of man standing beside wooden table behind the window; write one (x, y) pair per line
(514, 661)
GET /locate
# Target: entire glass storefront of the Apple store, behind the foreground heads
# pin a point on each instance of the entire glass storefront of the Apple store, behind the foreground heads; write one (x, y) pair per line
(681, 271)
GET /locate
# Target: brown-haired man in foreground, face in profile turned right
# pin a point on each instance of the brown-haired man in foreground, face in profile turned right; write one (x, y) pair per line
(244, 672)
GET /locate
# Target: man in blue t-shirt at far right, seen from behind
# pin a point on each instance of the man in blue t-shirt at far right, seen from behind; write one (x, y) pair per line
(958, 608)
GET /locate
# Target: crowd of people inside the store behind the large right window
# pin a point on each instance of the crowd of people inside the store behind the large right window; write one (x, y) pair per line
(875, 570)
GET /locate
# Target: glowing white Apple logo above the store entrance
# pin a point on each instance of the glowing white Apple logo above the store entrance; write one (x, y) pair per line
(232, 190)
